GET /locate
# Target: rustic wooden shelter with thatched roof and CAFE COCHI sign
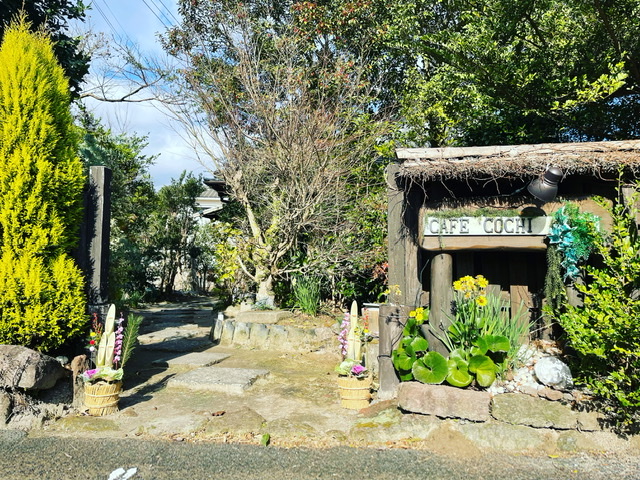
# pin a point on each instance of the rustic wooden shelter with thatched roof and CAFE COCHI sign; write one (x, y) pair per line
(432, 240)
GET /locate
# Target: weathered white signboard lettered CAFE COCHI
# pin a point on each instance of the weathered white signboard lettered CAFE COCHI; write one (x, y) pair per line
(435, 226)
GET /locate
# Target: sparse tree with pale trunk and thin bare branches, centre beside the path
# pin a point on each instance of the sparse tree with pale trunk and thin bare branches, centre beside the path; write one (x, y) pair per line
(295, 128)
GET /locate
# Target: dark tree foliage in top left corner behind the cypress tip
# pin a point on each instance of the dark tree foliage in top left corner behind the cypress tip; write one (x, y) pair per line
(54, 16)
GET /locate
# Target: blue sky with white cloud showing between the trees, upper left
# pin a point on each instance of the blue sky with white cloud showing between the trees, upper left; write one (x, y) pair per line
(139, 22)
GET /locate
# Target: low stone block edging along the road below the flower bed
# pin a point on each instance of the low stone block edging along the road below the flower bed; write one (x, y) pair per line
(512, 422)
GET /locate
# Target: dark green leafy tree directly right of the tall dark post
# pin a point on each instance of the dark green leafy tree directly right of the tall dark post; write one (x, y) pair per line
(132, 201)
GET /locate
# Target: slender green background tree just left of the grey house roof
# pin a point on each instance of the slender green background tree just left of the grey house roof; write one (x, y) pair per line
(172, 230)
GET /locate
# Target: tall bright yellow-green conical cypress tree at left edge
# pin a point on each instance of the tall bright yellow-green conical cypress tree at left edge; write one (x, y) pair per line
(42, 302)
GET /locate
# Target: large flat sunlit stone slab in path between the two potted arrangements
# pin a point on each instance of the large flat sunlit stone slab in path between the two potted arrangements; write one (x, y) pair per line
(217, 379)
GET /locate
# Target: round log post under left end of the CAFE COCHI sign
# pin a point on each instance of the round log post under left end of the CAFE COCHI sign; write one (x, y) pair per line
(441, 297)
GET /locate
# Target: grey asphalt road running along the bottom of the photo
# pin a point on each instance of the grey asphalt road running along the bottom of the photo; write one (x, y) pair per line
(60, 458)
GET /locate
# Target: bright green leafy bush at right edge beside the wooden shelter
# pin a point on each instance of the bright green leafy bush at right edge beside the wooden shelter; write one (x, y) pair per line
(604, 333)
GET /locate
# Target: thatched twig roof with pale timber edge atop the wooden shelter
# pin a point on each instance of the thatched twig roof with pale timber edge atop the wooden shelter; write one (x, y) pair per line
(598, 159)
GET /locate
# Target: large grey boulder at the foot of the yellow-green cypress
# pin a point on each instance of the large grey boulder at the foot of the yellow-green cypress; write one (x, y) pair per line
(21, 367)
